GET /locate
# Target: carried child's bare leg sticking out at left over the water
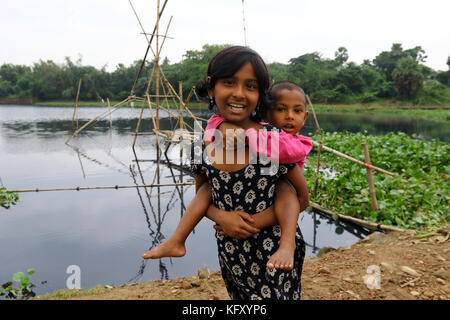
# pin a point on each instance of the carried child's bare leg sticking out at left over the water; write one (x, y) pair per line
(174, 246)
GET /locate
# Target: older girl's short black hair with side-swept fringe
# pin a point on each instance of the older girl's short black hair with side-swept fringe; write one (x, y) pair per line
(227, 62)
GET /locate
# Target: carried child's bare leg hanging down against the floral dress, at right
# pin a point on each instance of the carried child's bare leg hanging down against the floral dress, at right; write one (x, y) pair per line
(287, 210)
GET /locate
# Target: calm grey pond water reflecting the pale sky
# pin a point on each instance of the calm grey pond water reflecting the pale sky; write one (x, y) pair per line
(104, 232)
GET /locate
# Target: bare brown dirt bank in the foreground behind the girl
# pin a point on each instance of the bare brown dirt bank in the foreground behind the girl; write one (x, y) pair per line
(383, 266)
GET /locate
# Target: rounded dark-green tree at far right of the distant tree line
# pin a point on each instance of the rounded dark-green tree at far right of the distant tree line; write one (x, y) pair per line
(407, 77)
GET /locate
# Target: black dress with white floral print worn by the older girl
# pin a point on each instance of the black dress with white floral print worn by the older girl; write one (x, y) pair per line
(243, 261)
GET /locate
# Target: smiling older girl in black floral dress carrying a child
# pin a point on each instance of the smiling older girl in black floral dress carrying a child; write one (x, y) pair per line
(236, 80)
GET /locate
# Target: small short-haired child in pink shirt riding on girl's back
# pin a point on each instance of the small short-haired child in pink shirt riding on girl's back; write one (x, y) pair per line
(286, 110)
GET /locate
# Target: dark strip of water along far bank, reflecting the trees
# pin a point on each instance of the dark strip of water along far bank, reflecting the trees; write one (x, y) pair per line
(372, 123)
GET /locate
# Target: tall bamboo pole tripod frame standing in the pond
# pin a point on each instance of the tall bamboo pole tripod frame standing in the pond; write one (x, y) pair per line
(155, 102)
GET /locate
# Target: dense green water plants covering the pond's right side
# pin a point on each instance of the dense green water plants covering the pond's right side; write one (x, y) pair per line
(417, 198)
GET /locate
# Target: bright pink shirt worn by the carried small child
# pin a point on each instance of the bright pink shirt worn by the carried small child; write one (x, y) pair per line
(291, 148)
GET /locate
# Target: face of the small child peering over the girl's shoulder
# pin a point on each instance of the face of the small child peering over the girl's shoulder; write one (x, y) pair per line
(289, 112)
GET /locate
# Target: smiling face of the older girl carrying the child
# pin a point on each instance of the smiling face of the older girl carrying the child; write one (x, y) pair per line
(237, 96)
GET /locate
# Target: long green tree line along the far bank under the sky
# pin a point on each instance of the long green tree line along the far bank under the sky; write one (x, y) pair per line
(398, 74)
